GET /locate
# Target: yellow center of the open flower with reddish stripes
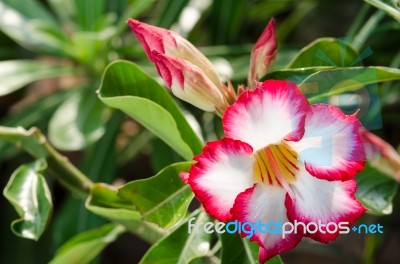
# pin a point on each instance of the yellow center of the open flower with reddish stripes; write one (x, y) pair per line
(275, 164)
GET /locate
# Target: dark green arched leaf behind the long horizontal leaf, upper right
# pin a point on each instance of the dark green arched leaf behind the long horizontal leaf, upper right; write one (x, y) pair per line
(326, 52)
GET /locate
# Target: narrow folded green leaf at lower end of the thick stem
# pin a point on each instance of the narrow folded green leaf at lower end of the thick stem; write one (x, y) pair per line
(104, 201)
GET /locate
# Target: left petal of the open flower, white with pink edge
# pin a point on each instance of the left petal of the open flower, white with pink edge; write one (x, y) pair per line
(223, 170)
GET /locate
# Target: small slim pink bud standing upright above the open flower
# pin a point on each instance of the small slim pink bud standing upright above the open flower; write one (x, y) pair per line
(263, 54)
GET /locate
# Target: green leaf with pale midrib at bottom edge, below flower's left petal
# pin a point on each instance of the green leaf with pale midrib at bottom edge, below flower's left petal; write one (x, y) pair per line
(178, 246)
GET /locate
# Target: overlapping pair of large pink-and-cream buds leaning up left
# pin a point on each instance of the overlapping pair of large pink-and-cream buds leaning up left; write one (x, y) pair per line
(184, 69)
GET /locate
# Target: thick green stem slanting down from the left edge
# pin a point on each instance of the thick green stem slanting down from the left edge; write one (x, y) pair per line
(36, 144)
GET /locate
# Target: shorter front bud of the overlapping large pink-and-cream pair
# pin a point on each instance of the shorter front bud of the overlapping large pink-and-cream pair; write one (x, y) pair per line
(189, 83)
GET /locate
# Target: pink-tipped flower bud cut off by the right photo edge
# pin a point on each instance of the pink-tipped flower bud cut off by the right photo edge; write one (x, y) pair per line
(381, 154)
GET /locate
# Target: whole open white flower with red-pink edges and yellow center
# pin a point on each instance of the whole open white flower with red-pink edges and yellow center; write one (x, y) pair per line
(281, 159)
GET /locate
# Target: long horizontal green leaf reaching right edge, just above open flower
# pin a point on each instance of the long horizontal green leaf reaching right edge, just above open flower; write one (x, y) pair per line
(336, 81)
